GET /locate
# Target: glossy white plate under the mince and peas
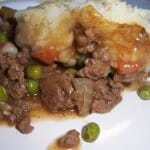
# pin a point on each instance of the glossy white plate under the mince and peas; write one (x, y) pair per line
(126, 127)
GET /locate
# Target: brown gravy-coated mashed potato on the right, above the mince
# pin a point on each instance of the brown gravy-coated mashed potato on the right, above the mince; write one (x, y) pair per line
(127, 44)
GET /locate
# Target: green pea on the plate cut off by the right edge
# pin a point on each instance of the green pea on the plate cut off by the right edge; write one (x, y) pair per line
(144, 92)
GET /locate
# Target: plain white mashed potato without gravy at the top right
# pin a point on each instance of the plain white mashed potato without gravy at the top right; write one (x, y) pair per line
(119, 11)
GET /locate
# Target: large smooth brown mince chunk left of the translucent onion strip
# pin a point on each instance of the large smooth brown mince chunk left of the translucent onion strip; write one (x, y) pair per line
(56, 91)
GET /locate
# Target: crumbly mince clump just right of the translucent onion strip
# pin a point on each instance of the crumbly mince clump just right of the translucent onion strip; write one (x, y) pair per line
(106, 95)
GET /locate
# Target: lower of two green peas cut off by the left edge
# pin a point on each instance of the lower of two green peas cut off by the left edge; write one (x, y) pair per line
(3, 94)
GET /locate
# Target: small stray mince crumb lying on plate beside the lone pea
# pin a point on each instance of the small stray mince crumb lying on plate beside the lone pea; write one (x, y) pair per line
(69, 140)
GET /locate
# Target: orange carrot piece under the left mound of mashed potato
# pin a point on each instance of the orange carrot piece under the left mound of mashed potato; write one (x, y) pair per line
(45, 55)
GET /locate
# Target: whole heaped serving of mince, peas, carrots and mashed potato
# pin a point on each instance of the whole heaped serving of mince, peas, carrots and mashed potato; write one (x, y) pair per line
(73, 57)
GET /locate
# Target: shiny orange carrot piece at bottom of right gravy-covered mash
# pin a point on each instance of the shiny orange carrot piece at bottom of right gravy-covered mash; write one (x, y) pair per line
(128, 67)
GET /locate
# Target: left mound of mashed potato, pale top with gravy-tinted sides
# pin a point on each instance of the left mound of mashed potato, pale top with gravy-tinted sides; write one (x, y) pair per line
(48, 25)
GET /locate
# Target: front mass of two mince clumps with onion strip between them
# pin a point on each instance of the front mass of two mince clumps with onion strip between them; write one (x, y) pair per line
(61, 92)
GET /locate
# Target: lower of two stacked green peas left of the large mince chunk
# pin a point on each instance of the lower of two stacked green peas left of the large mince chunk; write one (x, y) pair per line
(32, 86)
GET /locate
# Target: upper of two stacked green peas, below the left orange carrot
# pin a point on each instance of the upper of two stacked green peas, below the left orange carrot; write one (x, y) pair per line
(34, 72)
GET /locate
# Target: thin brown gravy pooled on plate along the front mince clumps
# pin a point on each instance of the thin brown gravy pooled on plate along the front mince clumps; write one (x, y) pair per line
(39, 112)
